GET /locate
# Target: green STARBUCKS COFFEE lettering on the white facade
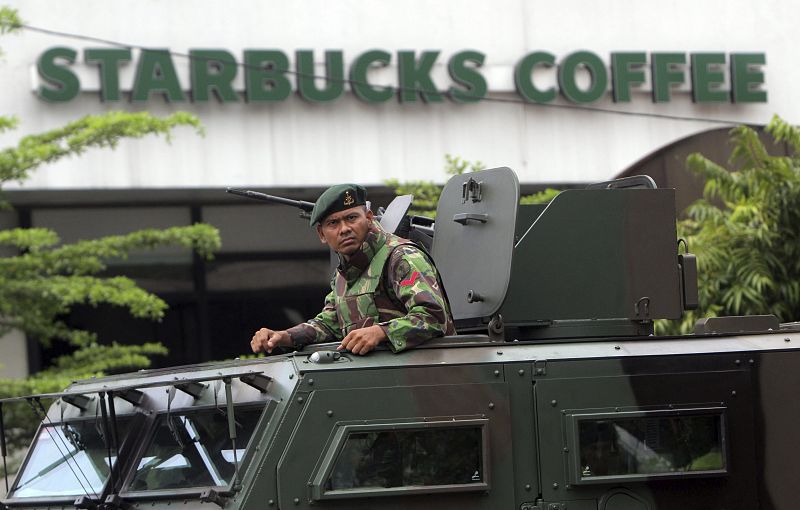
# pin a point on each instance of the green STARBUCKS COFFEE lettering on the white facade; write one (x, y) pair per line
(580, 77)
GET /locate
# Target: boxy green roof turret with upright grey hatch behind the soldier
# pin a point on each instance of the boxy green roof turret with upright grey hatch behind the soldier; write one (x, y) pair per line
(592, 262)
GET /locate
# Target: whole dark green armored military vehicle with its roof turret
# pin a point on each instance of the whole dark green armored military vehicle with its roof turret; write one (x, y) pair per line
(553, 396)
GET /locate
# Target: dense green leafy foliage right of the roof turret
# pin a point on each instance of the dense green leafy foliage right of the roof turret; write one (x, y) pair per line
(745, 230)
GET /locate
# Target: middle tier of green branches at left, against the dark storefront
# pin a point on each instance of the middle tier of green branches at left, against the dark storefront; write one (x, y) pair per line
(44, 282)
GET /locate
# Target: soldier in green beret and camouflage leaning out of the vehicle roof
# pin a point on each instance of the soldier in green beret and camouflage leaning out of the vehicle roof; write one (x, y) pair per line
(384, 290)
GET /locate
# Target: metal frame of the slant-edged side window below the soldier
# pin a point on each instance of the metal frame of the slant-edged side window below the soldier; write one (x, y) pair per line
(343, 430)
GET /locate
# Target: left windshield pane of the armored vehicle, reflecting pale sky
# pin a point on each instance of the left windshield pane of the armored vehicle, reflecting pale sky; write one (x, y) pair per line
(68, 459)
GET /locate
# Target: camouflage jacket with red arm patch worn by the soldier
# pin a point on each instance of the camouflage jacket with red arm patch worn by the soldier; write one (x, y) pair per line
(389, 282)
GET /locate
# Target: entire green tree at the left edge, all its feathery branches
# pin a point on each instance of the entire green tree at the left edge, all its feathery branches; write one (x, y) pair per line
(40, 284)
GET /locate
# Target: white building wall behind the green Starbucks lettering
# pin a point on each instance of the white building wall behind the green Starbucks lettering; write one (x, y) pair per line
(295, 143)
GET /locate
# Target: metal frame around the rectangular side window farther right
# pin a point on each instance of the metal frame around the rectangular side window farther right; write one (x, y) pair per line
(573, 446)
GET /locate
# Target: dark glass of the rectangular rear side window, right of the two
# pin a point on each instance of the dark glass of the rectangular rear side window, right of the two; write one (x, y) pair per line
(653, 445)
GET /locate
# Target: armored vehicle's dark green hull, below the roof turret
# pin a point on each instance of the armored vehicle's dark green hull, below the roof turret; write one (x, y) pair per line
(464, 422)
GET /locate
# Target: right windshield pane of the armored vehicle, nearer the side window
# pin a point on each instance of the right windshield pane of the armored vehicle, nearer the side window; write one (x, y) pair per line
(192, 449)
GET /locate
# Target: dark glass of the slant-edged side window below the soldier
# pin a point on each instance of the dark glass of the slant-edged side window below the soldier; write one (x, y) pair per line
(409, 458)
